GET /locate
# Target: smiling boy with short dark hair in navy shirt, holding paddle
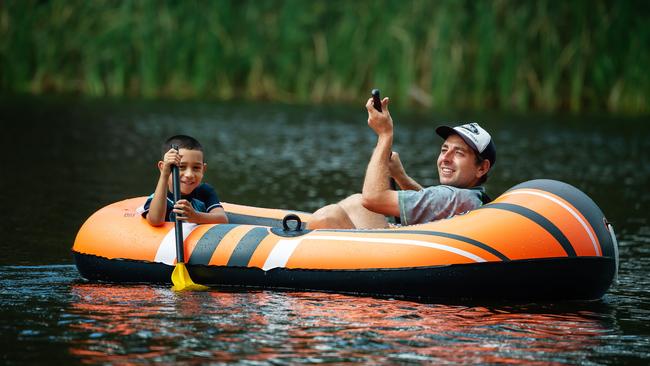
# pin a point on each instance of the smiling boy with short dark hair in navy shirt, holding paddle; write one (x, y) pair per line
(199, 203)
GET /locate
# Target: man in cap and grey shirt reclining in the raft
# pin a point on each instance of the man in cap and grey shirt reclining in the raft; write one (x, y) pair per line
(467, 155)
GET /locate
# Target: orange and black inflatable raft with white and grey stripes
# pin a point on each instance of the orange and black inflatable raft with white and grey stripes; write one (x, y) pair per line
(540, 240)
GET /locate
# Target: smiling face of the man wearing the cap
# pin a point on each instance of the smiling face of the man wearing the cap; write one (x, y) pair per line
(457, 164)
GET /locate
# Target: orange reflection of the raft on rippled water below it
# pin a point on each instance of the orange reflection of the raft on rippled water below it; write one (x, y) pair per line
(113, 324)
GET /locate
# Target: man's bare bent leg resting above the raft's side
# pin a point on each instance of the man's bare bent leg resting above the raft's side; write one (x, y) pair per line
(347, 214)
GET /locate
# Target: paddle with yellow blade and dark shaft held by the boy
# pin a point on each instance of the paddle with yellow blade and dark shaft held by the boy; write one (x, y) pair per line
(180, 276)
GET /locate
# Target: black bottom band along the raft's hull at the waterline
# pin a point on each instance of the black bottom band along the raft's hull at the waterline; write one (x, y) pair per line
(566, 278)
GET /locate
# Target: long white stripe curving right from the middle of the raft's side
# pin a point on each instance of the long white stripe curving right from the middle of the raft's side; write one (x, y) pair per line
(283, 249)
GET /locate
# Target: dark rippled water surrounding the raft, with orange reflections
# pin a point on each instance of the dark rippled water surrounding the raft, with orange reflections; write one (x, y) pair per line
(64, 159)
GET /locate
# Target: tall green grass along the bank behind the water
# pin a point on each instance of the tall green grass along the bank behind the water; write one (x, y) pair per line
(505, 54)
